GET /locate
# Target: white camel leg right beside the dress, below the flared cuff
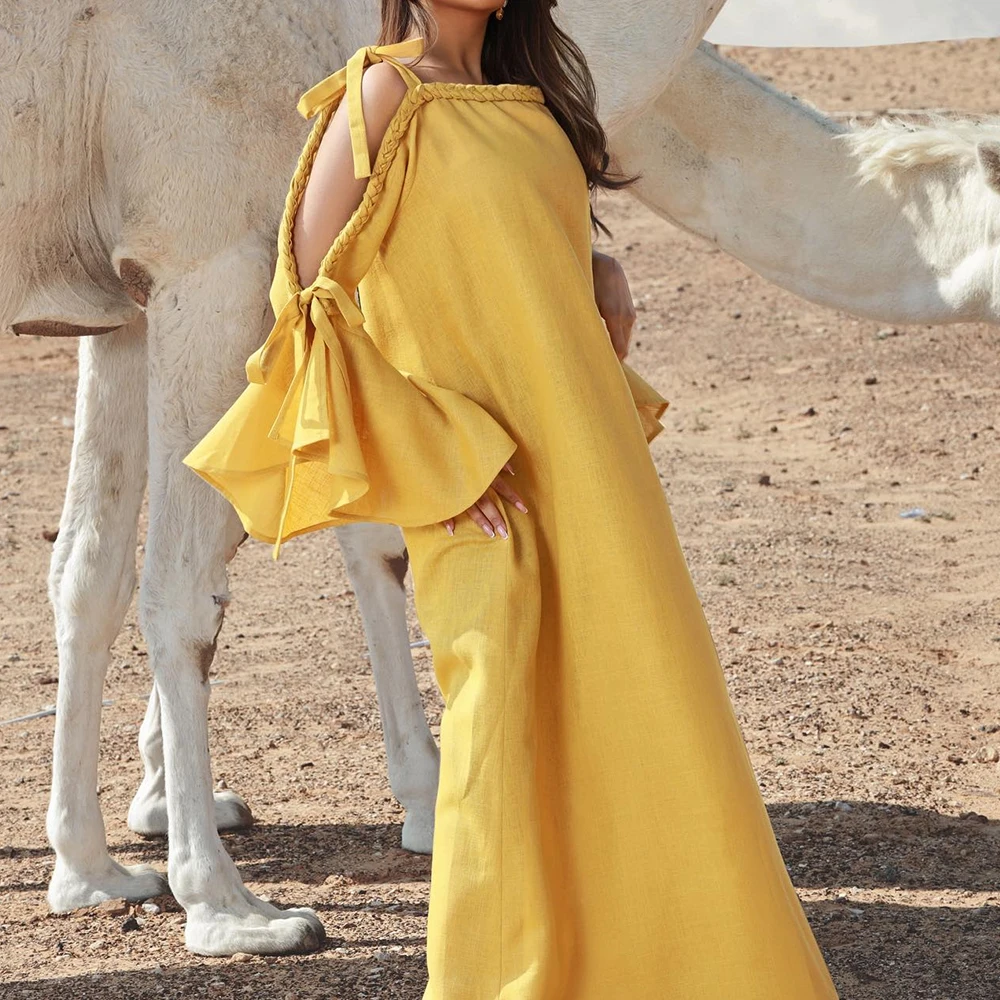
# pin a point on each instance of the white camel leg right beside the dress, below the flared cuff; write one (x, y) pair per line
(376, 564)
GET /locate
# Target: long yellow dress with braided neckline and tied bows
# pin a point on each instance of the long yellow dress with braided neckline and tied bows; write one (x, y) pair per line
(599, 831)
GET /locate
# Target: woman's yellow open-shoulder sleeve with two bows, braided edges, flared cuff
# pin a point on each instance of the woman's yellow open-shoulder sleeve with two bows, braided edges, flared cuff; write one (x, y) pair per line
(327, 431)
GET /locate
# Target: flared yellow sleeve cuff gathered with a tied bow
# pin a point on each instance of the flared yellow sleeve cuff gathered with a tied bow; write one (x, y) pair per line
(328, 432)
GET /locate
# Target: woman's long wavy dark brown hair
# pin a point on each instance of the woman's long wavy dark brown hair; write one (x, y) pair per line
(527, 46)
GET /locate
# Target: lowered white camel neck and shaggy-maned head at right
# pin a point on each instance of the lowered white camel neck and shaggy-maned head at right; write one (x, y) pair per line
(894, 223)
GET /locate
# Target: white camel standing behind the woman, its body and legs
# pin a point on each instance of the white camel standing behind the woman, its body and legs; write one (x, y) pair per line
(147, 150)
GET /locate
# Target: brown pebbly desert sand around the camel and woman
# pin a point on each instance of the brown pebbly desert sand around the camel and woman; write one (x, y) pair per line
(862, 649)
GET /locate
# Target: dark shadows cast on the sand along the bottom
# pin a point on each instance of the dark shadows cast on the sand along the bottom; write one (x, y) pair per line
(885, 950)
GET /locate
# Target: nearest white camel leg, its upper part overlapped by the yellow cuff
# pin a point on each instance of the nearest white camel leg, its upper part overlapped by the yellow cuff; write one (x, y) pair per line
(201, 329)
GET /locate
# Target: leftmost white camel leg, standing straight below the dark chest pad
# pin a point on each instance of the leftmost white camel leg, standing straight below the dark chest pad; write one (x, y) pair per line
(91, 580)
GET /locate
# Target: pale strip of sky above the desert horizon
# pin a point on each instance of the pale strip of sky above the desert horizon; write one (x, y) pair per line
(853, 22)
